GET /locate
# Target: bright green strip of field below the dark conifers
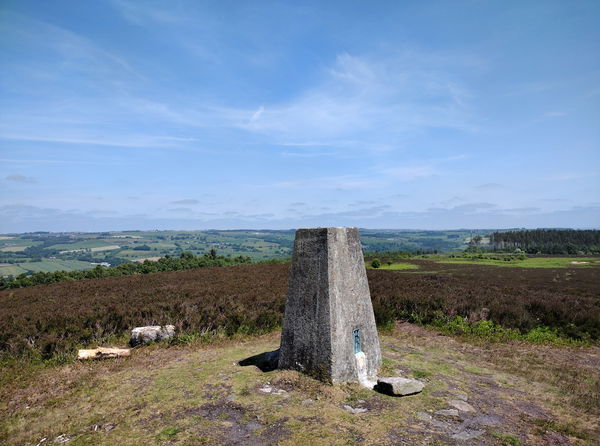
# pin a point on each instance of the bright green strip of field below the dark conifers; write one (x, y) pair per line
(534, 262)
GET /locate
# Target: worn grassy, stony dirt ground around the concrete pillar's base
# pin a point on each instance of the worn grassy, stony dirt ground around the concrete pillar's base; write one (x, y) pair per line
(475, 394)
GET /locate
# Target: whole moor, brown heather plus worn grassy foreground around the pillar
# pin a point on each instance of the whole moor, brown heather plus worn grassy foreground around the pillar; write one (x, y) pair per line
(518, 343)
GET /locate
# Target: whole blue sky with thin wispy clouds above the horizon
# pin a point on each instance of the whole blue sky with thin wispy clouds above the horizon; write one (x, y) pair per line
(232, 114)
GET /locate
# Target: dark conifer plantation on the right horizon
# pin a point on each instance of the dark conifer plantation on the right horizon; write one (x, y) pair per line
(548, 241)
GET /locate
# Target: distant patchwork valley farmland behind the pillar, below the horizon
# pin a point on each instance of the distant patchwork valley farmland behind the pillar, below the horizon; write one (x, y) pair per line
(116, 247)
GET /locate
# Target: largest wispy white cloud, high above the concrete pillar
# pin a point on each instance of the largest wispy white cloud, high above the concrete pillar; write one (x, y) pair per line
(392, 94)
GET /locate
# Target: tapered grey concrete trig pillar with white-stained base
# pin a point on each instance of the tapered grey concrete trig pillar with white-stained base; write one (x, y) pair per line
(329, 328)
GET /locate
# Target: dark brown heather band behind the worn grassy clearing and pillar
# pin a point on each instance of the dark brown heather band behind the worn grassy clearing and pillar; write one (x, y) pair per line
(538, 304)
